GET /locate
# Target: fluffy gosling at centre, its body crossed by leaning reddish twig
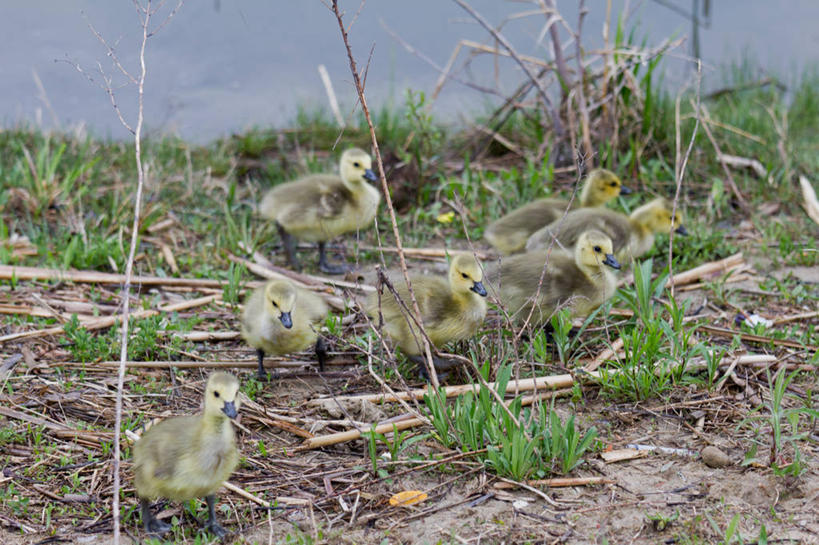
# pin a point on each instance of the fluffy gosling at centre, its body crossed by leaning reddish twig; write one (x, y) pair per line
(451, 310)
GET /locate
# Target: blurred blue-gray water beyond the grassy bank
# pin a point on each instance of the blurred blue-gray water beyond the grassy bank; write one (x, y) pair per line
(221, 66)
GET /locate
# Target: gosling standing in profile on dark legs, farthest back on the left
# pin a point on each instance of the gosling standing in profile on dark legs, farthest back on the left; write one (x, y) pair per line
(319, 207)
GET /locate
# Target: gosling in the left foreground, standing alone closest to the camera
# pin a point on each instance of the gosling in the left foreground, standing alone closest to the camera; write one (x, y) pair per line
(189, 457)
